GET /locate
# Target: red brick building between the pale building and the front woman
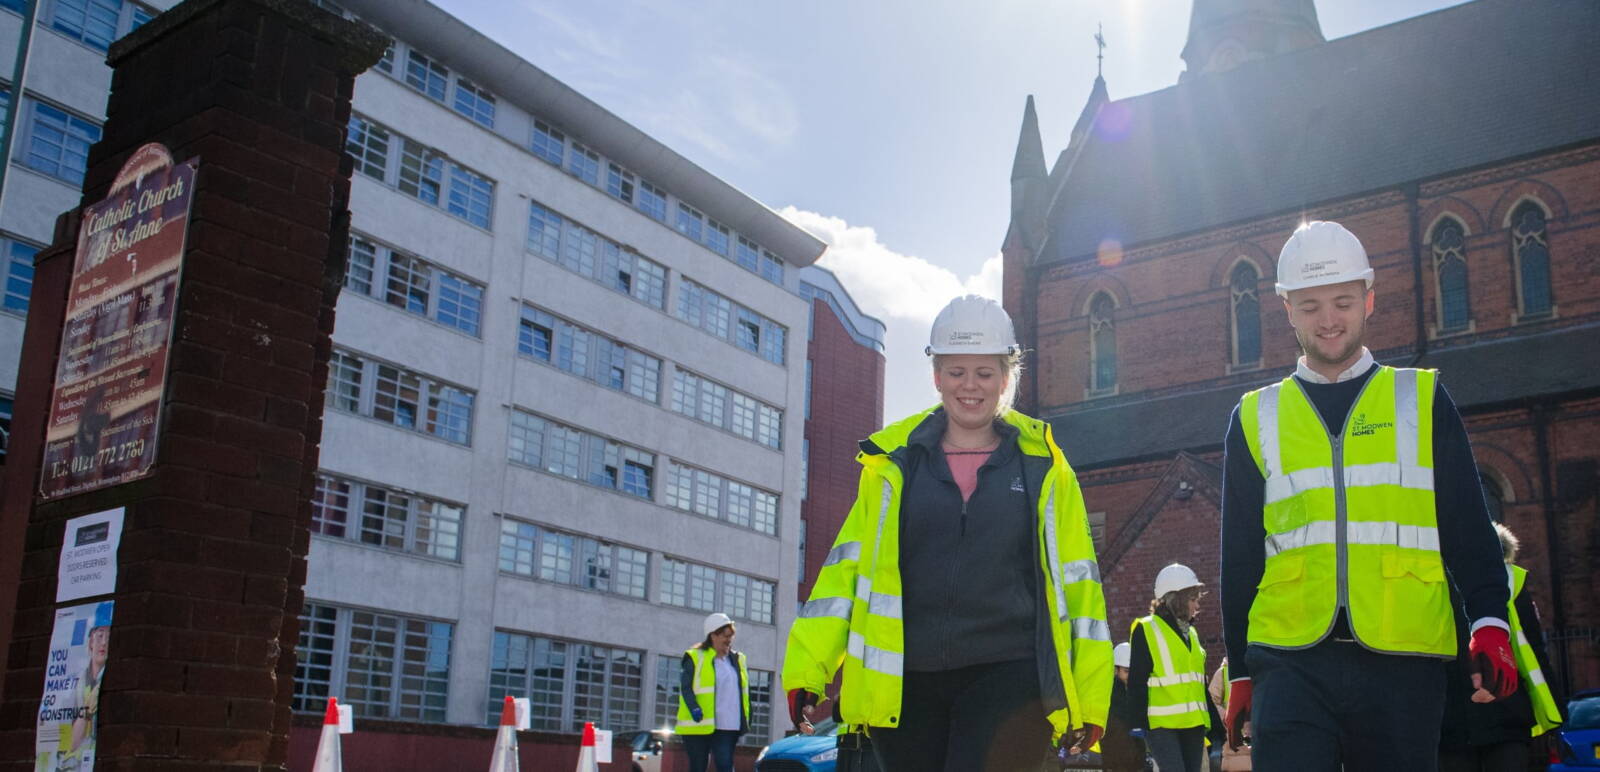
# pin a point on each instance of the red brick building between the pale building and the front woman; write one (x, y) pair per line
(847, 406)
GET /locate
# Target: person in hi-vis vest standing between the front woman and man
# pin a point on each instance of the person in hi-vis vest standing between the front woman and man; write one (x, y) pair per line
(1167, 673)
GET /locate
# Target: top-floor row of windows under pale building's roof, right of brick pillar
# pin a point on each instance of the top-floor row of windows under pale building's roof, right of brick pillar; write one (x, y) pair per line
(434, 81)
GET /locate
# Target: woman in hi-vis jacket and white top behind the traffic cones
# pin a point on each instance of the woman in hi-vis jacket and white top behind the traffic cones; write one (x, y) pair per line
(714, 698)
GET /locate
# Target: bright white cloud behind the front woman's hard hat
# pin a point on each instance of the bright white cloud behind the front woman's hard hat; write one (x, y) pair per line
(903, 291)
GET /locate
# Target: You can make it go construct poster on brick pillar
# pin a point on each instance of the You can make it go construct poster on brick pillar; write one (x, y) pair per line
(68, 712)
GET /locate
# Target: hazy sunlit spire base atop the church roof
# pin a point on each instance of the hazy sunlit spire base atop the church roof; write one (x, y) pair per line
(1228, 33)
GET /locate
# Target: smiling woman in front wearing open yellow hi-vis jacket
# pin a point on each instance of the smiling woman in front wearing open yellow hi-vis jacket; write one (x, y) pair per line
(962, 598)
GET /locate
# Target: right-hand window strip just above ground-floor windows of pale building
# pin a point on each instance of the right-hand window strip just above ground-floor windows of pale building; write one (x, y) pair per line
(586, 563)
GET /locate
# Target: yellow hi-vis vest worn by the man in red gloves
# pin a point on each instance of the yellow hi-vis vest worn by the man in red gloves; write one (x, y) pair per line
(1350, 518)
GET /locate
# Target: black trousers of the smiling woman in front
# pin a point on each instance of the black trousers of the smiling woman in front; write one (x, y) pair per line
(986, 718)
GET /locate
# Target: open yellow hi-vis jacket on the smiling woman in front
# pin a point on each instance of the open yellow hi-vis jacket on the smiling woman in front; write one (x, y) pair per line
(852, 622)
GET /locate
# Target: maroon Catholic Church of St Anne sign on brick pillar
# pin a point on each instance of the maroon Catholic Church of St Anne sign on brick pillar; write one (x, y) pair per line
(111, 372)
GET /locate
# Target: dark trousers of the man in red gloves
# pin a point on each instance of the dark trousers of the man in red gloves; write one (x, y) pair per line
(1340, 702)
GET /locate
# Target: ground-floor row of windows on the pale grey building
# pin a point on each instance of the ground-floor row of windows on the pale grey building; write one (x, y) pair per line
(393, 667)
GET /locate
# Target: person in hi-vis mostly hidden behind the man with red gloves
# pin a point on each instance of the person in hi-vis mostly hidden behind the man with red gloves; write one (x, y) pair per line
(1482, 734)
